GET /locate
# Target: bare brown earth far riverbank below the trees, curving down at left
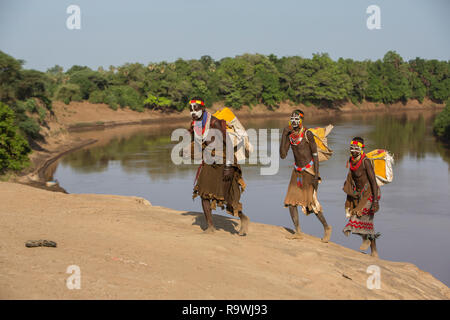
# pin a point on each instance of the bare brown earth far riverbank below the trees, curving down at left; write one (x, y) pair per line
(86, 117)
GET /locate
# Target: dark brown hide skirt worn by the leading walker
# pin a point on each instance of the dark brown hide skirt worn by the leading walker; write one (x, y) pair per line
(210, 185)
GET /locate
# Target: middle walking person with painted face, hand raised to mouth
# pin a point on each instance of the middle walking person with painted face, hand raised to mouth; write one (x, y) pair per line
(302, 190)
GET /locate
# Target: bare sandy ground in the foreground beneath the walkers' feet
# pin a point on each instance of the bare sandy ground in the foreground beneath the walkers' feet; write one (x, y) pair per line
(127, 249)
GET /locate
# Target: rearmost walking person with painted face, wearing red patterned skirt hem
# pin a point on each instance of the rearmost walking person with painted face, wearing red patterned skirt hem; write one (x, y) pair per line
(363, 194)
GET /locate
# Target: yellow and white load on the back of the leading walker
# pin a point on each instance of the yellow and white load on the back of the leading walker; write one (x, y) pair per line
(237, 133)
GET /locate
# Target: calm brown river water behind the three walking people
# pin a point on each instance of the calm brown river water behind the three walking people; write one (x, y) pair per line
(414, 216)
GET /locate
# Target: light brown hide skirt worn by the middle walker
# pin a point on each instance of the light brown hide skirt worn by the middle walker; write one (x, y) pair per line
(301, 193)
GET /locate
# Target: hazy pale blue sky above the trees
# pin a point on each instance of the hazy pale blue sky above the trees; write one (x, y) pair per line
(114, 32)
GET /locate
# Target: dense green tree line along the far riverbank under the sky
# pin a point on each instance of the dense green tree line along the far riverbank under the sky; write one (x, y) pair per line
(248, 79)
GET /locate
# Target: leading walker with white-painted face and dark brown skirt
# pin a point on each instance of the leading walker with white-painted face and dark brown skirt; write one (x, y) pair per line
(217, 184)
